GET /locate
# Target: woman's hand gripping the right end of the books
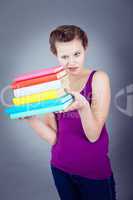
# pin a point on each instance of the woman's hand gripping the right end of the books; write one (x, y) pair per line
(79, 103)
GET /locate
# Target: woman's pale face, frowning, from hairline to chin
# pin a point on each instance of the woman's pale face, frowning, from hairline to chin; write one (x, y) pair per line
(71, 55)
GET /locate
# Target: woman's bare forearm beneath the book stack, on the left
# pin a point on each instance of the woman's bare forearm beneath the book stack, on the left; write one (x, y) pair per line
(45, 128)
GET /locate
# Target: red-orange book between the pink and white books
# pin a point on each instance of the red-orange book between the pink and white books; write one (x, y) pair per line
(34, 81)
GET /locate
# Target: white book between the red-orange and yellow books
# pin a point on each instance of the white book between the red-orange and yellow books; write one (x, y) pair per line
(33, 89)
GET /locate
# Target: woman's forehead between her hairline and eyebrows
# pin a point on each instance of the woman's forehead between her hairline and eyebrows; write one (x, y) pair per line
(68, 47)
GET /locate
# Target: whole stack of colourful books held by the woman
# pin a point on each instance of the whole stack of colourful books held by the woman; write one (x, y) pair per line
(41, 91)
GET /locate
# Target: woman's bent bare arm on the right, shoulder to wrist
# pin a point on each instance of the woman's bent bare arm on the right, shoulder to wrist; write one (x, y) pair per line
(93, 117)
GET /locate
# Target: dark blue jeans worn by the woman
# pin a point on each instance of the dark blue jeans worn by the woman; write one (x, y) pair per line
(75, 187)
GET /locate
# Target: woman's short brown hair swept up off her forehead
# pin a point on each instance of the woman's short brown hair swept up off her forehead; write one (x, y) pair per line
(67, 33)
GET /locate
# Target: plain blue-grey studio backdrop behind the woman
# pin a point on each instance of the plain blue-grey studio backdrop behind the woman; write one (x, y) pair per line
(24, 32)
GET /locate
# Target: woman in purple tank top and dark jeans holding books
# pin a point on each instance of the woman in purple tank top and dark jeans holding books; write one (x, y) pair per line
(79, 156)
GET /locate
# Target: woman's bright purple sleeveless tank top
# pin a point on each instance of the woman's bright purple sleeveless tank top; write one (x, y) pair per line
(73, 152)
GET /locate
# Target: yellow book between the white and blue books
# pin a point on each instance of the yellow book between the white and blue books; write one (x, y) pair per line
(50, 94)
